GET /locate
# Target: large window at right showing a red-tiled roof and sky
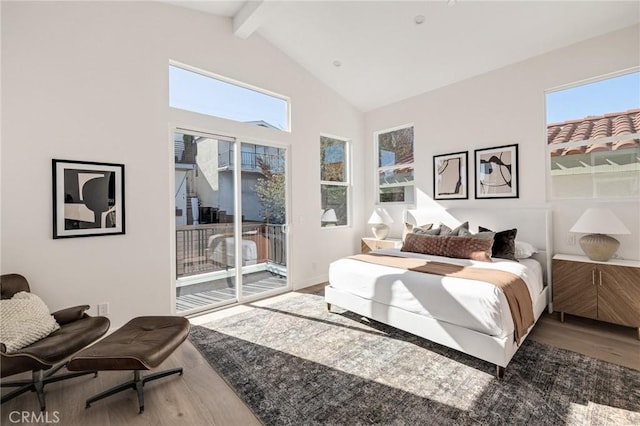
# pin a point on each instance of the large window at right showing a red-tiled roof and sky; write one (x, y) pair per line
(593, 139)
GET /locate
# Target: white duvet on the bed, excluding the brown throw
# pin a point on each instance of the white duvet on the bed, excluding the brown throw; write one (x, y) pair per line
(470, 304)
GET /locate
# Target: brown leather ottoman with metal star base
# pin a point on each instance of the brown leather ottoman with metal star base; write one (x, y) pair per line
(141, 344)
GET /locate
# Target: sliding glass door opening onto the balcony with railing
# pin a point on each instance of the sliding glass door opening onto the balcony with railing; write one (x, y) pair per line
(230, 202)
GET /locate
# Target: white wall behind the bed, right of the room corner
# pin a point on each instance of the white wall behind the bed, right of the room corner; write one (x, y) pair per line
(504, 107)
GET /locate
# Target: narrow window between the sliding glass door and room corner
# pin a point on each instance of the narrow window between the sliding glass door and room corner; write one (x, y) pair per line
(334, 182)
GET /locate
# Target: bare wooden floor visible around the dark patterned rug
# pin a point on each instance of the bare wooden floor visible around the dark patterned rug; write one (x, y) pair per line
(201, 397)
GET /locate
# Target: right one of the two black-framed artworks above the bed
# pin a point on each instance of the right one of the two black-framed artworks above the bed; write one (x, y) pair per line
(497, 172)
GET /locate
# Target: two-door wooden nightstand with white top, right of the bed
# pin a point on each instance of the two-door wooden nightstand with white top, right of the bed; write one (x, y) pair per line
(606, 291)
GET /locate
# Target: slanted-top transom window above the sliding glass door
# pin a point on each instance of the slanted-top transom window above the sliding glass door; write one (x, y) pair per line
(197, 91)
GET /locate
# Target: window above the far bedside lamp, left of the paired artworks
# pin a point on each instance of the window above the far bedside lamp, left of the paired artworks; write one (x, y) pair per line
(395, 165)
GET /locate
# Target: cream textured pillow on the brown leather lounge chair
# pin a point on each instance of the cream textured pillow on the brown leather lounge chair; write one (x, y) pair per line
(24, 319)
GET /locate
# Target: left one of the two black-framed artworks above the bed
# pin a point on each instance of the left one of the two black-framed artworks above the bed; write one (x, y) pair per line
(450, 178)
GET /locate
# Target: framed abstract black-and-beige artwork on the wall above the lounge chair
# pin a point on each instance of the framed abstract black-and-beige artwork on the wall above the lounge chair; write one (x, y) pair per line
(88, 199)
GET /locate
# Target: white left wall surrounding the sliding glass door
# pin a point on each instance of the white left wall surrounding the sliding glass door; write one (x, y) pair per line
(89, 81)
